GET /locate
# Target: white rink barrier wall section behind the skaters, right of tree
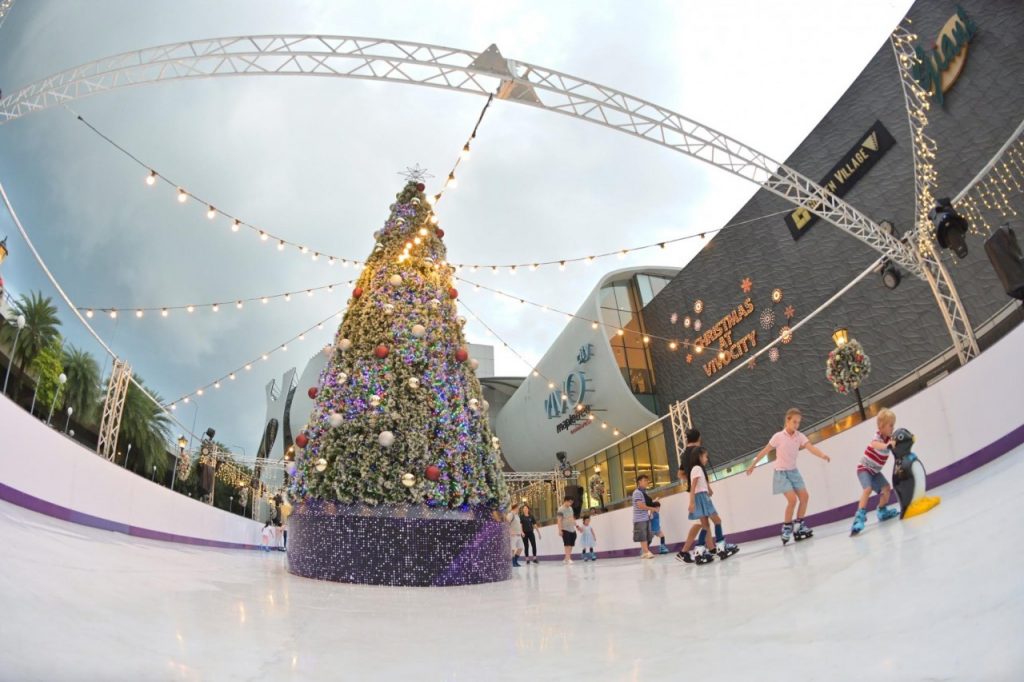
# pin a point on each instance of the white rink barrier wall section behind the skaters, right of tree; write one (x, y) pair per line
(960, 414)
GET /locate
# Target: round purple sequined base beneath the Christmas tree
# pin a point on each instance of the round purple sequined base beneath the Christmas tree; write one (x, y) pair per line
(402, 545)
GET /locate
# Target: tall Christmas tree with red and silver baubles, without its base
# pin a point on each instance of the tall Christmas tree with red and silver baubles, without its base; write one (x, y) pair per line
(400, 415)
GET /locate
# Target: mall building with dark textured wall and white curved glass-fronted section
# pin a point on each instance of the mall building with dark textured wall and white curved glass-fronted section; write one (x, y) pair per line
(777, 264)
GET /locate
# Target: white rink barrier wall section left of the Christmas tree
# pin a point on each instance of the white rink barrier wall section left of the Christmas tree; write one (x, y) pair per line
(50, 474)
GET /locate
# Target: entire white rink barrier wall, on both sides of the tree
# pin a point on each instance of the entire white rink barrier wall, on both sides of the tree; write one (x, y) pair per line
(44, 471)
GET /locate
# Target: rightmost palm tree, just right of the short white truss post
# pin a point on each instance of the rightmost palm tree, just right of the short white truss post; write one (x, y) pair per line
(148, 429)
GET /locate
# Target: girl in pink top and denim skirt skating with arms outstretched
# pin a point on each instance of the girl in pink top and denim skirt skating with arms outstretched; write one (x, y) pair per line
(788, 481)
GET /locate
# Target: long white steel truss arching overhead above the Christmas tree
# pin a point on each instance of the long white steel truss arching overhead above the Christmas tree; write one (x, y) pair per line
(483, 74)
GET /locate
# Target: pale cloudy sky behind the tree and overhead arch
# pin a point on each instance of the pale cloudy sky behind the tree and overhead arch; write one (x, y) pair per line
(317, 161)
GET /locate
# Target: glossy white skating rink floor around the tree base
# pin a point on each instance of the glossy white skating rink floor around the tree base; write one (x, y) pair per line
(938, 598)
